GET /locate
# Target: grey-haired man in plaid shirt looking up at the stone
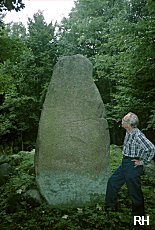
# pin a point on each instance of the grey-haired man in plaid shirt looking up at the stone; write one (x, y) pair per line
(137, 151)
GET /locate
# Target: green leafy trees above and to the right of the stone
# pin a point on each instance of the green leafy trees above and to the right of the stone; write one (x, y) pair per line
(118, 37)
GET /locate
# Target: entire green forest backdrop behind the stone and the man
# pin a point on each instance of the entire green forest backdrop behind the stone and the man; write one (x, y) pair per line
(118, 36)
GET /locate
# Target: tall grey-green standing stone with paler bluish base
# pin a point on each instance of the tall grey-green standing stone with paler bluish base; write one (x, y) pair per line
(72, 150)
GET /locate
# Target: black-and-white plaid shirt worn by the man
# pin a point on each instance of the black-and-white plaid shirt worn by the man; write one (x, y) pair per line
(137, 145)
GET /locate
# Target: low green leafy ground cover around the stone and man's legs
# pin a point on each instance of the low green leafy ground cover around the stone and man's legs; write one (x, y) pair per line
(17, 213)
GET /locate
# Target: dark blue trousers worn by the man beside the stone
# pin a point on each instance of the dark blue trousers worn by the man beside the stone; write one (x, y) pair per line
(126, 173)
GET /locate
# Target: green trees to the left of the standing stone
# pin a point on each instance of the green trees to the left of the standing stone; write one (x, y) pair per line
(25, 76)
